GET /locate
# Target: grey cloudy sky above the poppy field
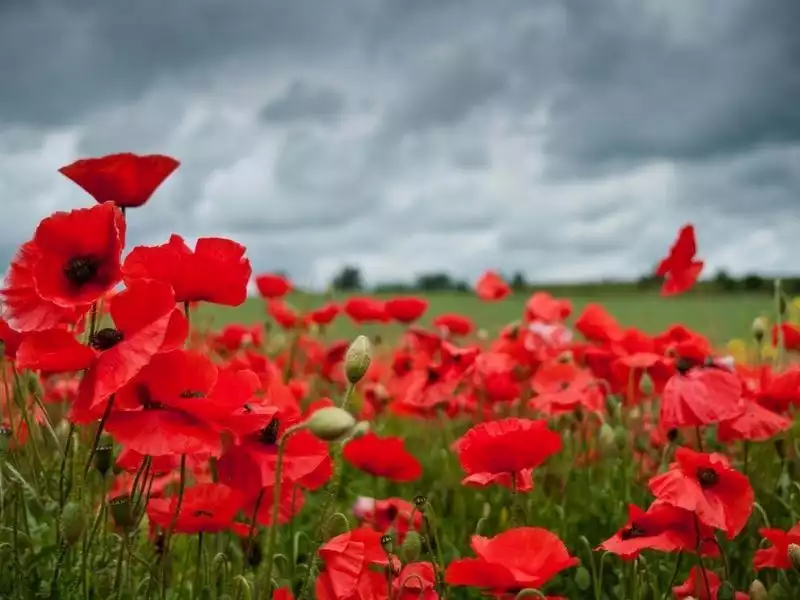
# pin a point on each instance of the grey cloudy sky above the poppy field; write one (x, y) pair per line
(569, 139)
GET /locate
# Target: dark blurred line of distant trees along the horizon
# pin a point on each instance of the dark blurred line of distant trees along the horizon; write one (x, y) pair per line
(350, 279)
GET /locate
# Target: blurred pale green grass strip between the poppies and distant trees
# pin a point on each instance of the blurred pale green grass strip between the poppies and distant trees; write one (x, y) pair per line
(720, 317)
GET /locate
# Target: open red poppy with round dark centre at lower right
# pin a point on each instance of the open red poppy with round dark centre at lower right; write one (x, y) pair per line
(707, 485)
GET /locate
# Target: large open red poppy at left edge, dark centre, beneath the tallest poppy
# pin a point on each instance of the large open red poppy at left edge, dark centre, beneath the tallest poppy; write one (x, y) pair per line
(71, 262)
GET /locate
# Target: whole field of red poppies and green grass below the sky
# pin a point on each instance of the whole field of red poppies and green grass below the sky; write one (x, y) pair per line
(385, 448)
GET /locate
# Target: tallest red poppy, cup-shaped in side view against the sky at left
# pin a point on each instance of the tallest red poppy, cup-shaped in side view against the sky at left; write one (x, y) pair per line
(125, 179)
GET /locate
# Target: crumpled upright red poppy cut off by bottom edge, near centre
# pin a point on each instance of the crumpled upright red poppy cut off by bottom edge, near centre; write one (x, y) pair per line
(354, 567)
